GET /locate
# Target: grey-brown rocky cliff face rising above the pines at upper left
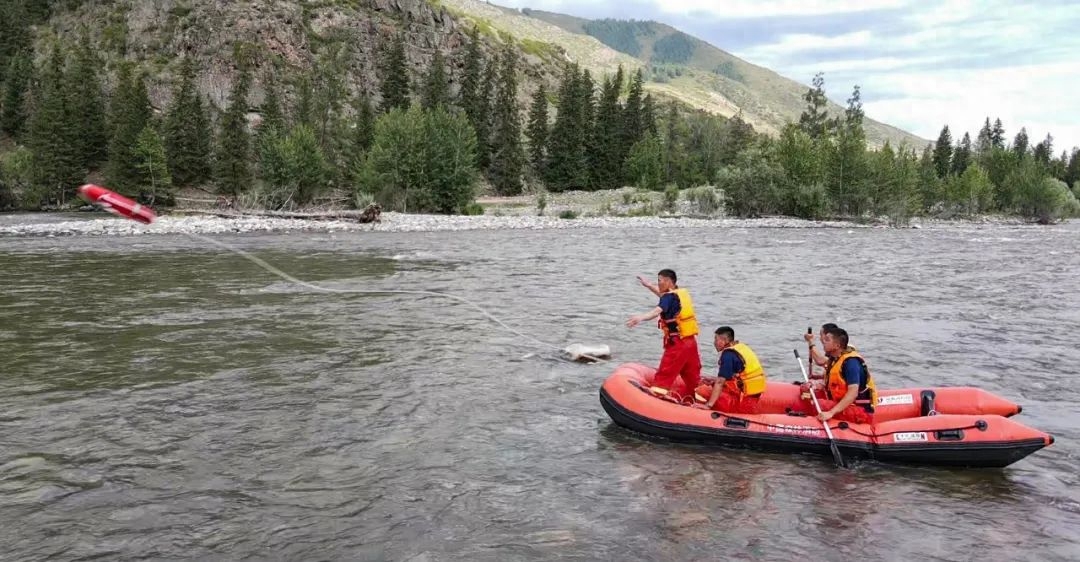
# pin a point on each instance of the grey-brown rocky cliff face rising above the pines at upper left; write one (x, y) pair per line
(285, 38)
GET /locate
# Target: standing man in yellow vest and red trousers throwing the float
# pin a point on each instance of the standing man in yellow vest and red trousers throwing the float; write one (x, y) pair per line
(676, 313)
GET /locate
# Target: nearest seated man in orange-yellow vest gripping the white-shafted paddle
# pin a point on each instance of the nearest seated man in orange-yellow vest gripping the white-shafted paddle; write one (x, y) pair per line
(850, 394)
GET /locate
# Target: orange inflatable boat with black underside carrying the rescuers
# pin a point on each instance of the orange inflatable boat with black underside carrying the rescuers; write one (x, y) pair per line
(956, 426)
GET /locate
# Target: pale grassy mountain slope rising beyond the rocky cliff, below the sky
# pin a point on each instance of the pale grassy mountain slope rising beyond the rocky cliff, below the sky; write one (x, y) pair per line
(678, 65)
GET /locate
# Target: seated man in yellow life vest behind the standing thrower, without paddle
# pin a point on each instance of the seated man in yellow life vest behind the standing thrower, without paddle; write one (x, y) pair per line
(740, 381)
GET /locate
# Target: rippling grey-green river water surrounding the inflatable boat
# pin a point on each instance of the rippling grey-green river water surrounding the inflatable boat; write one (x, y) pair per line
(163, 399)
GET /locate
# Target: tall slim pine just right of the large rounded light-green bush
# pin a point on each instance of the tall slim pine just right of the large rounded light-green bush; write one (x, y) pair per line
(508, 157)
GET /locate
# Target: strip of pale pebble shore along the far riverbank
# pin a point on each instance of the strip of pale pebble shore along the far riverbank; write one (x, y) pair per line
(563, 211)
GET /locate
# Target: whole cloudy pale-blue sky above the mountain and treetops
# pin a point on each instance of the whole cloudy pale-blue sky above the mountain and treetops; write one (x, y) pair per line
(922, 64)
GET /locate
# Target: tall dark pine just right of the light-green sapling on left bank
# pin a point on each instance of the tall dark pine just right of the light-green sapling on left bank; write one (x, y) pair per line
(187, 131)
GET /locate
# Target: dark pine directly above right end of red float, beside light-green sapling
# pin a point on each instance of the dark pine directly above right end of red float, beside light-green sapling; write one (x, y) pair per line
(129, 114)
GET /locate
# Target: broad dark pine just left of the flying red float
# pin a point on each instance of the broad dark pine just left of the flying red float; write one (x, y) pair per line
(57, 164)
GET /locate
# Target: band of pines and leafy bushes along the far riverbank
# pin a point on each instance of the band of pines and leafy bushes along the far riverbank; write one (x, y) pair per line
(417, 145)
